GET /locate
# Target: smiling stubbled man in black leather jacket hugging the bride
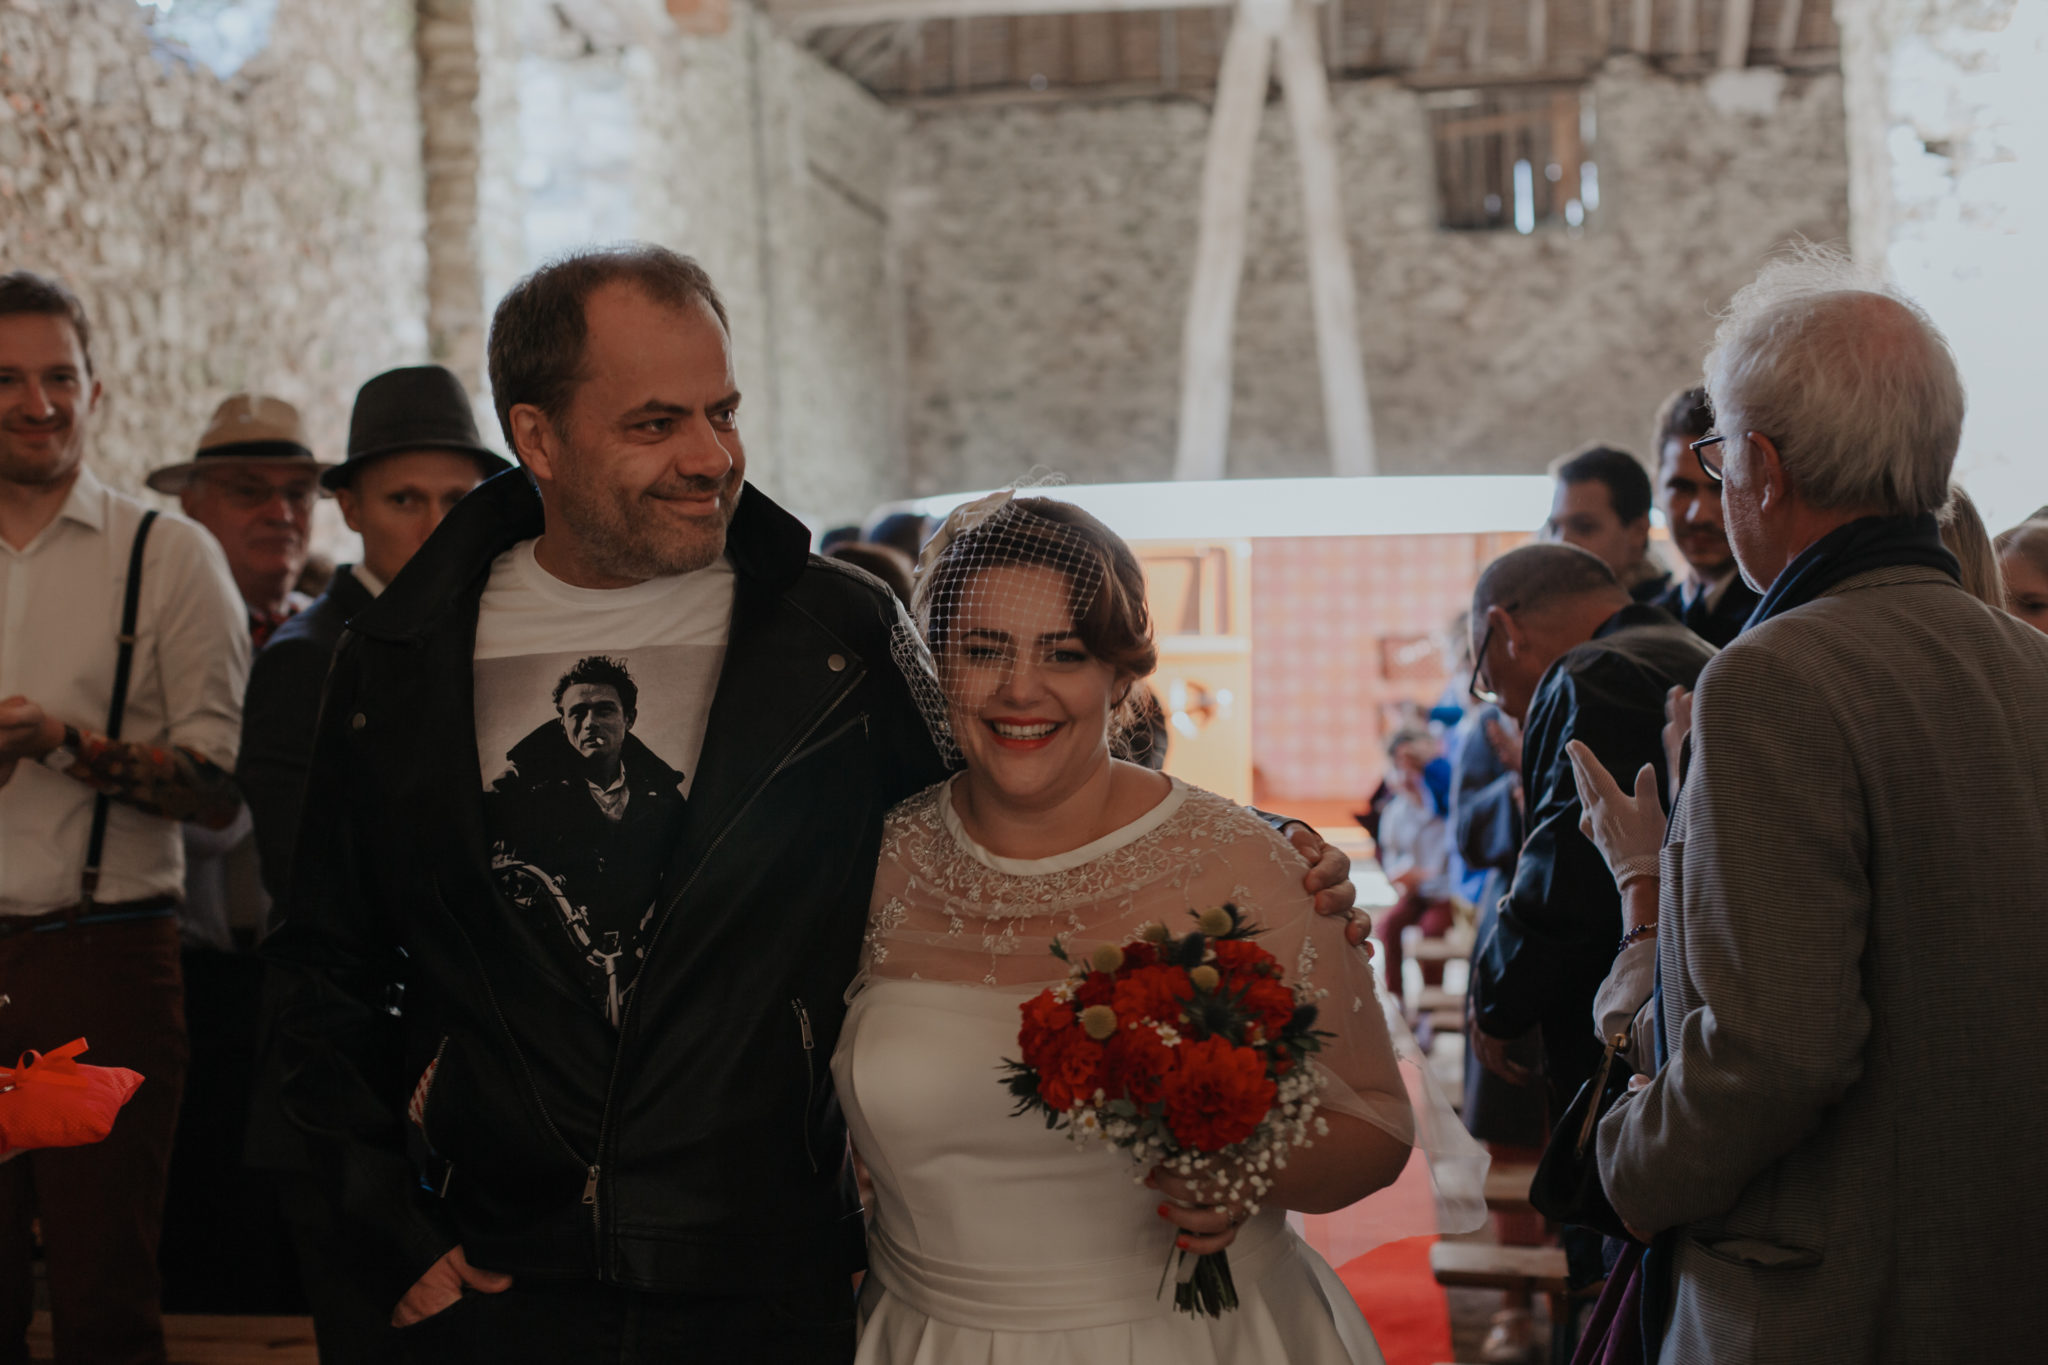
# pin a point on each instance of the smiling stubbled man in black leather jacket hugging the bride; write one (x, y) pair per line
(542, 1182)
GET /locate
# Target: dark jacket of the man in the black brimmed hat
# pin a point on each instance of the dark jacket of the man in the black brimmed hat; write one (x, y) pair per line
(278, 721)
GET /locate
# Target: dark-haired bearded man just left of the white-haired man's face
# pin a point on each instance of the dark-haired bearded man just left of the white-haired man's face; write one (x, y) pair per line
(1711, 599)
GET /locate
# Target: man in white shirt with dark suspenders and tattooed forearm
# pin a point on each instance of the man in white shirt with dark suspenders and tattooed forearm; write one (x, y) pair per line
(93, 953)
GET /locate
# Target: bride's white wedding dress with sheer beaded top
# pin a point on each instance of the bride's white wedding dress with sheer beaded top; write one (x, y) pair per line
(1002, 1243)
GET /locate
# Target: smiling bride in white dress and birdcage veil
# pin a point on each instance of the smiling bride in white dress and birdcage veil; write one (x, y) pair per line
(994, 1239)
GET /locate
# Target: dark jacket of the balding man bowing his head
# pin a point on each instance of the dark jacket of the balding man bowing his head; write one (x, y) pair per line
(1562, 920)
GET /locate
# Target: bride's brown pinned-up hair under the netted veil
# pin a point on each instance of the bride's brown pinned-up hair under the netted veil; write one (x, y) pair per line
(1041, 533)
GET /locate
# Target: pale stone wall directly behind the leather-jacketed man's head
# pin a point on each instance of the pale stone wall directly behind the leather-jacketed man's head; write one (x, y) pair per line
(749, 155)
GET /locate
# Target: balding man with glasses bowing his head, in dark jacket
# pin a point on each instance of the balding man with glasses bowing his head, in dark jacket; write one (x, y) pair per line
(1568, 654)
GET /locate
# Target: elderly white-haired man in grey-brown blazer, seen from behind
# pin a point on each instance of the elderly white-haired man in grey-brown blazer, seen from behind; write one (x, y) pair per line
(1844, 1151)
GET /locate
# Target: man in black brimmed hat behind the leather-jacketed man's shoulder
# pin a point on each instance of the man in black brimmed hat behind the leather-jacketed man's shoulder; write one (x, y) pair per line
(413, 455)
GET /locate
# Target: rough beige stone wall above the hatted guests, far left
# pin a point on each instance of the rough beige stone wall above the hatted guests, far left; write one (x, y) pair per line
(259, 232)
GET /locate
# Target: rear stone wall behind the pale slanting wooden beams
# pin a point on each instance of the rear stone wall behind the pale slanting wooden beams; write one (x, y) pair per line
(1048, 255)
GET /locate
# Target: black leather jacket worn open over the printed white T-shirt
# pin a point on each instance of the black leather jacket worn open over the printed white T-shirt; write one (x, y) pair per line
(695, 1149)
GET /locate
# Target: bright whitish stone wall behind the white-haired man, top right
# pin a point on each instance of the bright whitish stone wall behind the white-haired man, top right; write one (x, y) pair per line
(1949, 105)
